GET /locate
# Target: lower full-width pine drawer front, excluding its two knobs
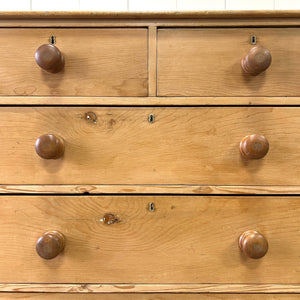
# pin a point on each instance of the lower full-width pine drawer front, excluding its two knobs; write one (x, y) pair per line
(186, 239)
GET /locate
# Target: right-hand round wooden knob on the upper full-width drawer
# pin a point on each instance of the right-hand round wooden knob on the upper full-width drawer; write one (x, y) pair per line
(254, 146)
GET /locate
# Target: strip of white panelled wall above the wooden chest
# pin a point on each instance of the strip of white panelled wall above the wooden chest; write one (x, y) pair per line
(145, 5)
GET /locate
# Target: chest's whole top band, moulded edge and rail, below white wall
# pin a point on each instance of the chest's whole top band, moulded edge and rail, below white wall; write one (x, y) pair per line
(163, 19)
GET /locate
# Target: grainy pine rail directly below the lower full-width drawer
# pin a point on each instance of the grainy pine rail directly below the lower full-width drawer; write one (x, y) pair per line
(152, 288)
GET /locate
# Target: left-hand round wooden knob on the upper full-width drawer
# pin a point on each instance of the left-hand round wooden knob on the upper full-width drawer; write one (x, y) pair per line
(50, 146)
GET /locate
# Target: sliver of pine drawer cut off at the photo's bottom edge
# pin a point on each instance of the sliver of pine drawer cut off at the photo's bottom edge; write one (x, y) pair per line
(53, 296)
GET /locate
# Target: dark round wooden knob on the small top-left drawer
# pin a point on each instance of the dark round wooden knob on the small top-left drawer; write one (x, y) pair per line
(49, 58)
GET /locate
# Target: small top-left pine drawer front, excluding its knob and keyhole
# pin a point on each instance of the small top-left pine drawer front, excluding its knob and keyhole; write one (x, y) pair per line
(98, 62)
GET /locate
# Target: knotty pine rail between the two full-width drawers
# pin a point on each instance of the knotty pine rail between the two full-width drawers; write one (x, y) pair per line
(150, 189)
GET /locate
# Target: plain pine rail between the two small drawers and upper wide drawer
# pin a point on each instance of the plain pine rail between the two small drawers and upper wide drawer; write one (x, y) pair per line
(147, 101)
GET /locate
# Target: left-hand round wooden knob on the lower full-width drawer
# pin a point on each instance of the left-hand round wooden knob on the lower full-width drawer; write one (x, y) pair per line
(50, 244)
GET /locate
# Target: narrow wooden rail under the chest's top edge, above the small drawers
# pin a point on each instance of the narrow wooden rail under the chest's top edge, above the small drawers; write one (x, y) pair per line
(143, 22)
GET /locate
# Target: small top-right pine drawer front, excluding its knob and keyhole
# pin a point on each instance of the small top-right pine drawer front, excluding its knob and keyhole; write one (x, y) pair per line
(207, 62)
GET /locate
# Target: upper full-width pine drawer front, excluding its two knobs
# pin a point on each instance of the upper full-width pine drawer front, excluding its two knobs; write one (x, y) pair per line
(118, 145)
